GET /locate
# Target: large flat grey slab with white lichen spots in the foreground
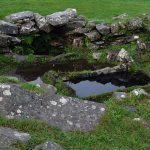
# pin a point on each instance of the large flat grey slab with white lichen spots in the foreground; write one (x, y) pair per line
(66, 113)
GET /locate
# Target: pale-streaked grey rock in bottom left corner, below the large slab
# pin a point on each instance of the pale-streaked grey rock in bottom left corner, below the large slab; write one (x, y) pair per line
(10, 136)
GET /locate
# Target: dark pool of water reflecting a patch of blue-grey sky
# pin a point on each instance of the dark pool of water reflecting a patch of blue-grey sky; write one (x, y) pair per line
(106, 83)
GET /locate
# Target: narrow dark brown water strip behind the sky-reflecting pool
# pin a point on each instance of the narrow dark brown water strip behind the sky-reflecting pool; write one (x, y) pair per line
(33, 71)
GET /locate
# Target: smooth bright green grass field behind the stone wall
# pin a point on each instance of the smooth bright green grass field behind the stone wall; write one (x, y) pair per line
(92, 9)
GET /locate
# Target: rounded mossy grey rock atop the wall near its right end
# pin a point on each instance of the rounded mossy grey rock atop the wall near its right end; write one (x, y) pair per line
(135, 24)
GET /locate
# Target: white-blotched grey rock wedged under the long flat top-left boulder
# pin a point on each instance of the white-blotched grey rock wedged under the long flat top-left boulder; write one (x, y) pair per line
(28, 28)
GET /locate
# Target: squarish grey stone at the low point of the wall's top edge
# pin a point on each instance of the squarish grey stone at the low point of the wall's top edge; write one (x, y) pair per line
(103, 29)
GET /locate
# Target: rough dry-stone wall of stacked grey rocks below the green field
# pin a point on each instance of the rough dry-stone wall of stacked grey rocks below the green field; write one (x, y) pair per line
(75, 30)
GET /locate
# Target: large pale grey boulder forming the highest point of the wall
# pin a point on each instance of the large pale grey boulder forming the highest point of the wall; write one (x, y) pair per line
(61, 18)
